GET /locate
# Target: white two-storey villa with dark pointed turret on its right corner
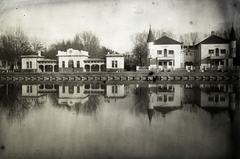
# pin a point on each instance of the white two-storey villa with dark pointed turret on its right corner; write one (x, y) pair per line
(217, 53)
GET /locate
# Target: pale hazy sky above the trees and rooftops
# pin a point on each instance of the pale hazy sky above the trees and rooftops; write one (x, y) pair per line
(115, 21)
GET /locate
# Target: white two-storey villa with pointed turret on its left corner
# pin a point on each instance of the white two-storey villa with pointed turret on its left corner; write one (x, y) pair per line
(163, 53)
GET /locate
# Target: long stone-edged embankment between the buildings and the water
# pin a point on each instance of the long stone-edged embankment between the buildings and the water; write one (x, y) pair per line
(122, 76)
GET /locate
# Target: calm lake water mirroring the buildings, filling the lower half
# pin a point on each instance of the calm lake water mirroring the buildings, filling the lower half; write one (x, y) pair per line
(119, 121)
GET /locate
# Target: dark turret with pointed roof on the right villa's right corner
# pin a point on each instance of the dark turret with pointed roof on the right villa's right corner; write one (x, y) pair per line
(232, 43)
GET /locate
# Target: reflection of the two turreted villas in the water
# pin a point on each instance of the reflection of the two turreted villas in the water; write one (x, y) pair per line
(166, 98)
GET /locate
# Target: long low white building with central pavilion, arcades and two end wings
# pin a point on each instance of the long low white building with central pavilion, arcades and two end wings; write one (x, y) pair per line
(73, 61)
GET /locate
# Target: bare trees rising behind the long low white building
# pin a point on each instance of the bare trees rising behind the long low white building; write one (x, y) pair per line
(14, 43)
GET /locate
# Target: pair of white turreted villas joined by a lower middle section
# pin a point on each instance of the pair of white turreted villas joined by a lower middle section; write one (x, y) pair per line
(212, 53)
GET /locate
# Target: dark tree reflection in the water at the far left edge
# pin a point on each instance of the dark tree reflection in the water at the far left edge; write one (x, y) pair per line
(16, 106)
